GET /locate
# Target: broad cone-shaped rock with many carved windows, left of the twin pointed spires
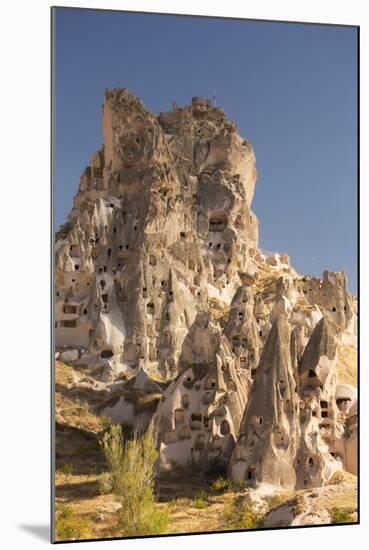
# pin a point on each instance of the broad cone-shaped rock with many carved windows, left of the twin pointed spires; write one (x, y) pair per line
(199, 416)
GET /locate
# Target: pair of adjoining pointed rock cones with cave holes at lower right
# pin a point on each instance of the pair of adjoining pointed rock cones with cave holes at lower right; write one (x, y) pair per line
(303, 409)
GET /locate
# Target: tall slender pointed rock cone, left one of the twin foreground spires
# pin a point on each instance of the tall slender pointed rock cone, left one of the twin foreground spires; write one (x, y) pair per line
(270, 429)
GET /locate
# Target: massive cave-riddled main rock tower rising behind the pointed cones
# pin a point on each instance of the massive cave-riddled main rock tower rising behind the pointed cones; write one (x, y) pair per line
(162, 211)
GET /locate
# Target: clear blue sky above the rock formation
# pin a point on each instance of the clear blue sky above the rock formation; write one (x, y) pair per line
(291, 88)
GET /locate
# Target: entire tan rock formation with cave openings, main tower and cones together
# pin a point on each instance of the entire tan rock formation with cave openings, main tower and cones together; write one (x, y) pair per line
(159, 275)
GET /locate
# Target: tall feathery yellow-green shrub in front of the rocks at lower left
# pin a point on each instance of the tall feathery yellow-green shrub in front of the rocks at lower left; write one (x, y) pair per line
(131, 469)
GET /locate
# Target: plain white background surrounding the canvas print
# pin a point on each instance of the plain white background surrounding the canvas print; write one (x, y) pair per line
(25, 267)
